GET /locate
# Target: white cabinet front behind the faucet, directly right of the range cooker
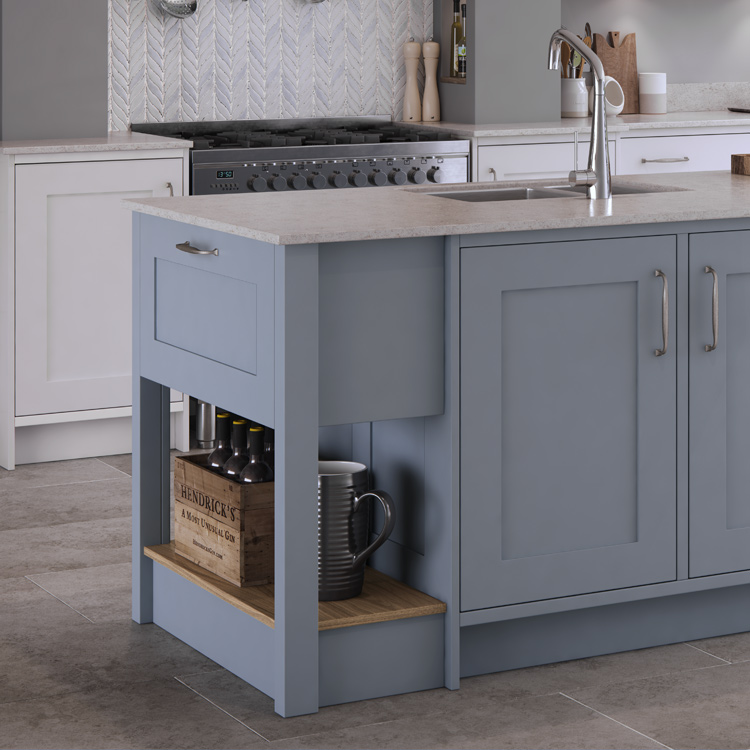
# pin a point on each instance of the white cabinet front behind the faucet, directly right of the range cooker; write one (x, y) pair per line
(533, 161)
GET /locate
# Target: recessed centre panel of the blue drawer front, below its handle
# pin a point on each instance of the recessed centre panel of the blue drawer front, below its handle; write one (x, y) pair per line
(191, 324)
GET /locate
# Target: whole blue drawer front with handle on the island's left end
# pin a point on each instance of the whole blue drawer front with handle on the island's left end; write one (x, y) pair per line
(210, 315)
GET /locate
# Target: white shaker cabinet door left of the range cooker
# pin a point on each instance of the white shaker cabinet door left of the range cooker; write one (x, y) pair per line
(73, 280)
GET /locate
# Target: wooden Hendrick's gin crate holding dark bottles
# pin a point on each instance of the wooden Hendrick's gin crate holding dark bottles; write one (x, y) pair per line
(221, 525)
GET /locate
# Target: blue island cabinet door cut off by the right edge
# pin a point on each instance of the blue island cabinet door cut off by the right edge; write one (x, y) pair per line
(720, 405)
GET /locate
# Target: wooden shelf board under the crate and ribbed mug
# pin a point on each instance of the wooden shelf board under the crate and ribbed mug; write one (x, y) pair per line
(382, 597)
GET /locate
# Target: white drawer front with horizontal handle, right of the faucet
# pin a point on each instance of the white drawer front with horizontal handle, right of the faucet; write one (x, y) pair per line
(687, 153)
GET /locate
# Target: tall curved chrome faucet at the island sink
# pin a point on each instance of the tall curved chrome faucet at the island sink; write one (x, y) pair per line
(596, 176)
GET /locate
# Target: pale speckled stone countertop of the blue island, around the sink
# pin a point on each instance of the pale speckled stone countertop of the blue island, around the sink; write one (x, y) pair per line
(345, 215)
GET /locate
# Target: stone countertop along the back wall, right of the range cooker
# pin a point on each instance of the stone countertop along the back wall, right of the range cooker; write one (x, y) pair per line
(621, 124)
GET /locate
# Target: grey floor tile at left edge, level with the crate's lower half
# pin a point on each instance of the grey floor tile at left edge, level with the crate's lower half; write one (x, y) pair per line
(65, 546)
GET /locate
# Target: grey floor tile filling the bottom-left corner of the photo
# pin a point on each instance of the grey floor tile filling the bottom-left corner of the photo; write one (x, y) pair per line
(159, 714)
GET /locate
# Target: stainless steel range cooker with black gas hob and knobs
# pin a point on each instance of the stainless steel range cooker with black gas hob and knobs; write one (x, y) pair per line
(246, 156)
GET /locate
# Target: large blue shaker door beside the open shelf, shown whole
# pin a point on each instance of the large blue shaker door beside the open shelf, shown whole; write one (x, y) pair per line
(568, 449)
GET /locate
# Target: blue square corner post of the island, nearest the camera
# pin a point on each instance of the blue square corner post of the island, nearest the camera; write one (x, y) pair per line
(296, 436)
